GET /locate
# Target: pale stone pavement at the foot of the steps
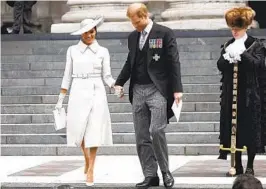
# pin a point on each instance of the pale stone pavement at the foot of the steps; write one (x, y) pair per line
(190, 172)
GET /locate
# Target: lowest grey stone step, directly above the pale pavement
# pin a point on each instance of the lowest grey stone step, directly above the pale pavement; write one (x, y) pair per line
(116, 149)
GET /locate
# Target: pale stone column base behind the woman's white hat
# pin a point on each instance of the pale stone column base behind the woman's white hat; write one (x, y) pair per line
(114, 12)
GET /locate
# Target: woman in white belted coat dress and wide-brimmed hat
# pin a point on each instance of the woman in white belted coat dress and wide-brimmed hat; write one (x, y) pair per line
(88, 117)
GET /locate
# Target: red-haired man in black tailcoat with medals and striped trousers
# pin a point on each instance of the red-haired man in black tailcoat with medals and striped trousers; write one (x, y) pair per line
(155, 83)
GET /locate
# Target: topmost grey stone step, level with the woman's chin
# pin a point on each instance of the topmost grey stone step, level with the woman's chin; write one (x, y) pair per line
(120, 40)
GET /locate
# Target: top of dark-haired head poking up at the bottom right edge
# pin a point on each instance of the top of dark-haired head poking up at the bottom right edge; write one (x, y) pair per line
(247, 181)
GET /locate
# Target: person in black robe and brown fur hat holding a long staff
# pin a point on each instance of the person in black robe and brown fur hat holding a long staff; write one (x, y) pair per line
(249, 53)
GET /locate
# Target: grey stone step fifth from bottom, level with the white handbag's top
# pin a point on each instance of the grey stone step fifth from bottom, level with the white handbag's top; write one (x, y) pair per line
(113, 108)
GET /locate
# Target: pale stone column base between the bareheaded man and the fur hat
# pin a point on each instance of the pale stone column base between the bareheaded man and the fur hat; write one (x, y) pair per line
(197, 14)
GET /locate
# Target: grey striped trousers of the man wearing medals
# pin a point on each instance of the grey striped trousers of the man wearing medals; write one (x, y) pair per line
(150, 120)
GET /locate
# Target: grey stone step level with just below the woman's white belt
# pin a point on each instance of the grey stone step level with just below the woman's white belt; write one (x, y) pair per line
(209, 79)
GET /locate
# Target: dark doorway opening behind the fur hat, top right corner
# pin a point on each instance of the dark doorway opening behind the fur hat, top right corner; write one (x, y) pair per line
(260, 8)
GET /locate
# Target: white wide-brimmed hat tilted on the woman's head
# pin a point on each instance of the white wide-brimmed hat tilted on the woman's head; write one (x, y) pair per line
(88, 24)
